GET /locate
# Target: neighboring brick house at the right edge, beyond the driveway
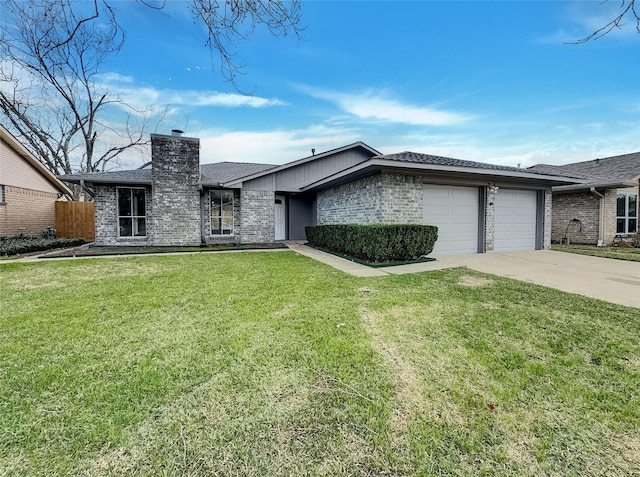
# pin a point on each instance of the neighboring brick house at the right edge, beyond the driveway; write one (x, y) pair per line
(603, 209)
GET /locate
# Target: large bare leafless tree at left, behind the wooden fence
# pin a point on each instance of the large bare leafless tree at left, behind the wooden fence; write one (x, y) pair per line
(52, 54)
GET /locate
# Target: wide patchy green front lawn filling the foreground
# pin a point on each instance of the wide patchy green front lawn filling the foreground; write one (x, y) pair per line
(273, 364)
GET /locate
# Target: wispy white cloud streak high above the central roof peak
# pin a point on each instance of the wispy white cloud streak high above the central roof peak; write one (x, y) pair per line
(377, 106)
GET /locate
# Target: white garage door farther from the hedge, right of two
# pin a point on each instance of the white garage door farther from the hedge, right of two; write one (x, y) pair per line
(515, 225)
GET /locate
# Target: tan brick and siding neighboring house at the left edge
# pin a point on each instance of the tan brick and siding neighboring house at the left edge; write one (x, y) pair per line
(28, 191)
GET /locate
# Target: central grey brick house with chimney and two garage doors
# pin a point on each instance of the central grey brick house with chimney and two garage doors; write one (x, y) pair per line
(477, 207)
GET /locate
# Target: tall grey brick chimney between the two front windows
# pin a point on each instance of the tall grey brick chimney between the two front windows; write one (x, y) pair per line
(175, 190)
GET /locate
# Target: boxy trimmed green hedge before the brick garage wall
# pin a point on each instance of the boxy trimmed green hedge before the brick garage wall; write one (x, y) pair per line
(380, 243)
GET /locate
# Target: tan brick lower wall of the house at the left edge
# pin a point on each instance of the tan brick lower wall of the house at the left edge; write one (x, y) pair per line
(26, 211)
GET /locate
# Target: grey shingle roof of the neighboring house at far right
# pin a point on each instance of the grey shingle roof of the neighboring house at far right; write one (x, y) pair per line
(621, 168)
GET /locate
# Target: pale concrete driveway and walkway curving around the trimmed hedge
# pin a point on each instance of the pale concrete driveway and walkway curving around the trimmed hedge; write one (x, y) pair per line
(617, 281)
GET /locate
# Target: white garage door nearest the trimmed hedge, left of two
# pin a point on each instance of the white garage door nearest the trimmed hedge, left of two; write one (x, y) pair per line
(455, 211)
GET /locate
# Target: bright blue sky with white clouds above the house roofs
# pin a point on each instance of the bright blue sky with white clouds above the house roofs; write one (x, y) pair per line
(485, 81)
